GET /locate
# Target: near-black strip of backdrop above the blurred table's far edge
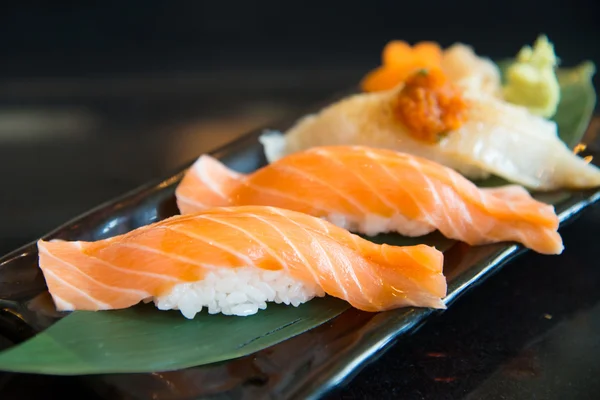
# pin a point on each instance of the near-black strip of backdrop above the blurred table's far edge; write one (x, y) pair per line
(90, 39)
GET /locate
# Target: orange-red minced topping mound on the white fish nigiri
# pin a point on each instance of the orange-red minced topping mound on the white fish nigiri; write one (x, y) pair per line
(430, 106)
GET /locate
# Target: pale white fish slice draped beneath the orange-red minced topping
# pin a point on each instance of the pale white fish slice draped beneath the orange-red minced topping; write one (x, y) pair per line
(498, 138)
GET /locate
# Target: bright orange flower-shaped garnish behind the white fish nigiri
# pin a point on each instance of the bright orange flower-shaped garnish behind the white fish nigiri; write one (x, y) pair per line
(400, 61)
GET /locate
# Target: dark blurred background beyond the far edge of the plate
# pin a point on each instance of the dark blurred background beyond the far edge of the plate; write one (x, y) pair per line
(98, 97)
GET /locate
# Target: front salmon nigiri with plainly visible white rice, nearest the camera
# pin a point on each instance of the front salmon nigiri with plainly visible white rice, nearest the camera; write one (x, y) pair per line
(233, 260)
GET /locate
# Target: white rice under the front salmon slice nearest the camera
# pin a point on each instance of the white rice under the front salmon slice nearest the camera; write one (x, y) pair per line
(237, 291)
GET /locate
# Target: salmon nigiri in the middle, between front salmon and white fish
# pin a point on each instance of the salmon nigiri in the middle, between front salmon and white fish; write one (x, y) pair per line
(373, 190)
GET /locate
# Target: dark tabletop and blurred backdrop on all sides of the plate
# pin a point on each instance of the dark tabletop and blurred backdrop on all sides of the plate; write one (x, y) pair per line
(99, 97)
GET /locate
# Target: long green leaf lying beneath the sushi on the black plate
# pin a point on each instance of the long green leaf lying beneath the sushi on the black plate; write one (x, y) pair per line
(144, 339)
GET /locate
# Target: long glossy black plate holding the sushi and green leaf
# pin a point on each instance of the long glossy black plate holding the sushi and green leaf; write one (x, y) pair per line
(305, 366)
